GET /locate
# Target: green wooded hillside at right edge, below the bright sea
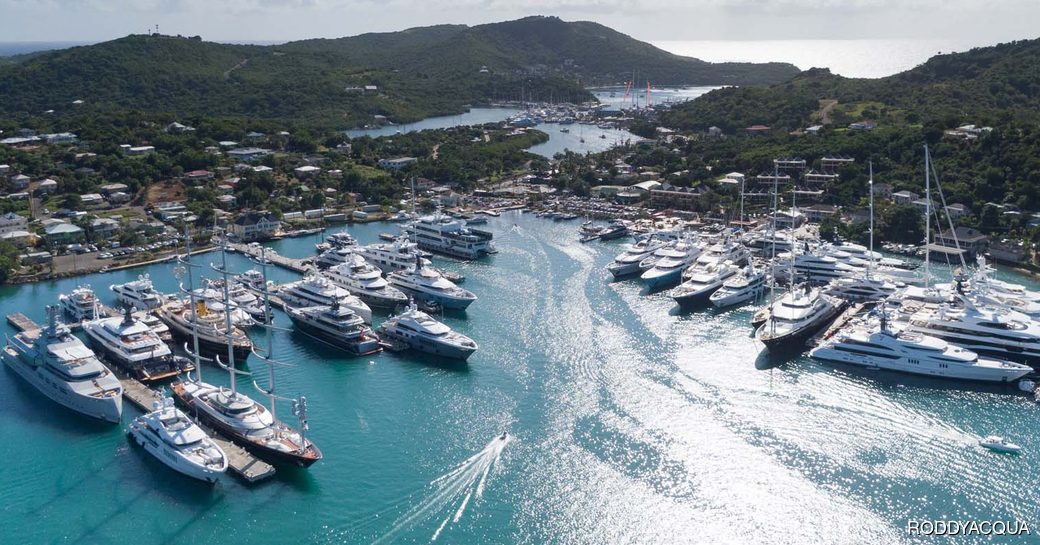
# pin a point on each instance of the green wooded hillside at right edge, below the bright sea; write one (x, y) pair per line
(980, 86)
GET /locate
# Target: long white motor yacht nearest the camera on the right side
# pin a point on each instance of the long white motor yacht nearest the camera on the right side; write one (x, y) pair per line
(878, 345)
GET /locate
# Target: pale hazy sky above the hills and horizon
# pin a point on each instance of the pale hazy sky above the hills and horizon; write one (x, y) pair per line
(978, 22)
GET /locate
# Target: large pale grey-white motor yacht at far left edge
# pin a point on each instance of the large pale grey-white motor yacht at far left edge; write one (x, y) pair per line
(62, 368)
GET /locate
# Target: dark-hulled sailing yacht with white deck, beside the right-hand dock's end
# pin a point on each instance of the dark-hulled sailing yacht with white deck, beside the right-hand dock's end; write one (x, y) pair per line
(796, 317)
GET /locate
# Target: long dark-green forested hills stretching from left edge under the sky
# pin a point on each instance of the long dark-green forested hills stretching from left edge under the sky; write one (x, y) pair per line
(418, 73)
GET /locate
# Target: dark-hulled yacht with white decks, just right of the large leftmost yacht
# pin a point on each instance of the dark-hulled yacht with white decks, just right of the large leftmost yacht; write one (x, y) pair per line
(134, 347)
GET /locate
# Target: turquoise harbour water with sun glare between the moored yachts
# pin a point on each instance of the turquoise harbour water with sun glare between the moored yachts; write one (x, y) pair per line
(630, 424)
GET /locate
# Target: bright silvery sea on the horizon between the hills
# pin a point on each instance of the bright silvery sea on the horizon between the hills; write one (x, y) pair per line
(861, 59)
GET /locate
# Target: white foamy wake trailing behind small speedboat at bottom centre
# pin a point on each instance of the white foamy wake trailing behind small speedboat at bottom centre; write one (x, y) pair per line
(451, 494)
